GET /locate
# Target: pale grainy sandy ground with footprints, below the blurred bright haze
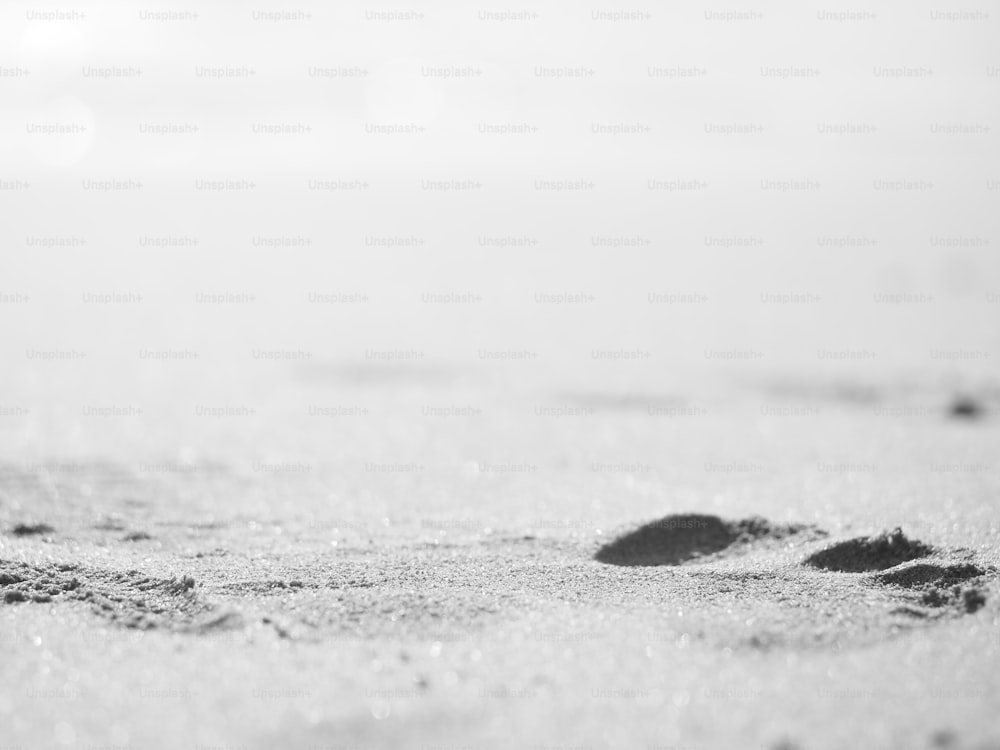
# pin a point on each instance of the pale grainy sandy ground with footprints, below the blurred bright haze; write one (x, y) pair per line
(521, 568)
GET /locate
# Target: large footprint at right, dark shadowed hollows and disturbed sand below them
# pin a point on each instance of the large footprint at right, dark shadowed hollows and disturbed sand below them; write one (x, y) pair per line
(862, 584)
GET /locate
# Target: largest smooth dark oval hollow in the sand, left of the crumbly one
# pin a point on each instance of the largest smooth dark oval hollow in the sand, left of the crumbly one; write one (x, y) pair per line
(680, 538)
